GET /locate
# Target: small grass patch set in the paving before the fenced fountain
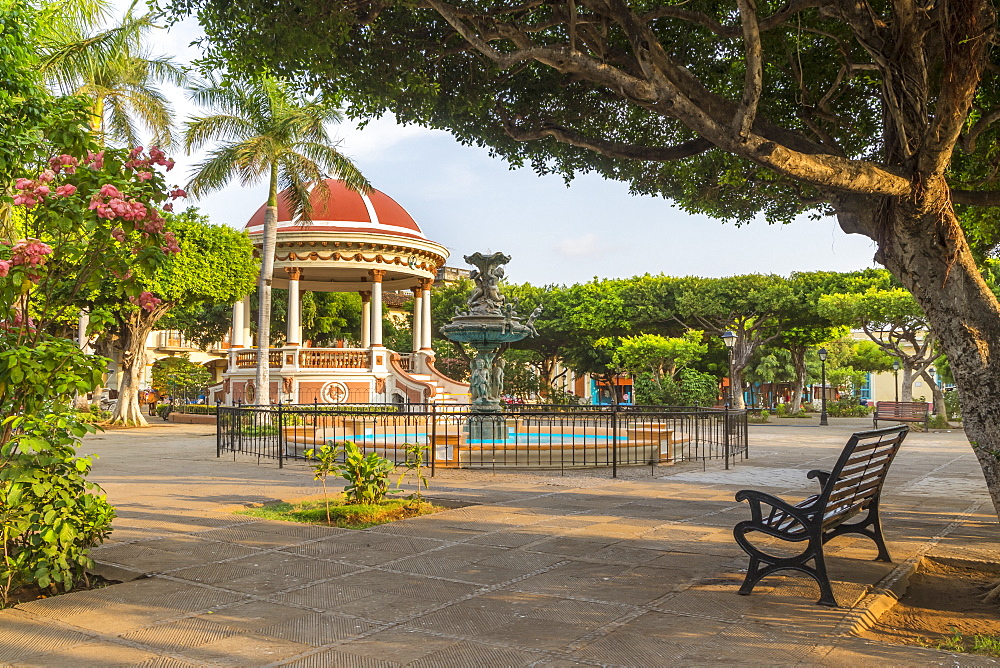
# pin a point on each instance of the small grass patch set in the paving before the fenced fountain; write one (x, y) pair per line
(345, 516)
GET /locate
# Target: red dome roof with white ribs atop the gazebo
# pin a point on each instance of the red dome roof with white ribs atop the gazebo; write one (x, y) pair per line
(345, 210)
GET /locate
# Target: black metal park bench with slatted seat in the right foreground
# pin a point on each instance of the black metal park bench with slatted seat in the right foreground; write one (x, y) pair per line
(851, 488)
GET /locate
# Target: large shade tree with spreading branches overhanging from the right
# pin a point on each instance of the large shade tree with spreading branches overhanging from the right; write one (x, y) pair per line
(884, 115)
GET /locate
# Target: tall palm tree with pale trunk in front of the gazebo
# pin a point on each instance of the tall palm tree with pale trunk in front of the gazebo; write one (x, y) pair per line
(262, 131)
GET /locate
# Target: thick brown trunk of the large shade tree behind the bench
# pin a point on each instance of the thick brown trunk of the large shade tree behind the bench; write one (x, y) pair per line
(925, 248)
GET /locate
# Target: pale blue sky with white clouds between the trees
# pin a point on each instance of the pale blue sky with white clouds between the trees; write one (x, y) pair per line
(467, 201)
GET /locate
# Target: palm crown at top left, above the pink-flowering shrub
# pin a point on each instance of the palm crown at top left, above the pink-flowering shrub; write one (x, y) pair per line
(113, 68)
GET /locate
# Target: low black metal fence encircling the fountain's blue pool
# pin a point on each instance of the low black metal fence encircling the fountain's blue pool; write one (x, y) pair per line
(524, 437)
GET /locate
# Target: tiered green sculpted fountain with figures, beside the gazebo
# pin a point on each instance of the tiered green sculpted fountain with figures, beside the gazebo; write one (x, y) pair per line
(489, 323)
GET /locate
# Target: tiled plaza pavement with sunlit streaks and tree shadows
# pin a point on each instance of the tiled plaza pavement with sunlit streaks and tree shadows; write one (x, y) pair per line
(541, 569)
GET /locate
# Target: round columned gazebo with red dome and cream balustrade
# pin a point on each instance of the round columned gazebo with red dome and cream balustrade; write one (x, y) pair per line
(364, 243)
